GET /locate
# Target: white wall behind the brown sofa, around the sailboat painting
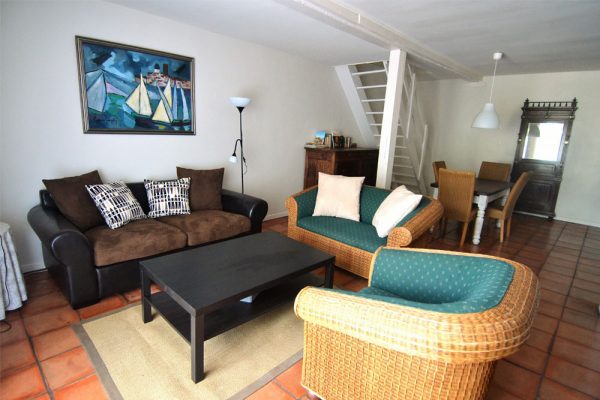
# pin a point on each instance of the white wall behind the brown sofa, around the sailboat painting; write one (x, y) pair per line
(40, 118)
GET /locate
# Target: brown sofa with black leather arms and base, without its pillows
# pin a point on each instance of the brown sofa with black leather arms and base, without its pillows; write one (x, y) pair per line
(93, 263)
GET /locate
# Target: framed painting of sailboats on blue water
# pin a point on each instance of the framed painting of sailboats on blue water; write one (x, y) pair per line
(128, 89)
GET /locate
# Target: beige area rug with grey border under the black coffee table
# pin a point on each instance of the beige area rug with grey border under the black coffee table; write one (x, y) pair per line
(151, 361)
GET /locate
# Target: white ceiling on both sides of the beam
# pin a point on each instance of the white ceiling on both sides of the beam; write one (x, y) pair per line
(535, 35)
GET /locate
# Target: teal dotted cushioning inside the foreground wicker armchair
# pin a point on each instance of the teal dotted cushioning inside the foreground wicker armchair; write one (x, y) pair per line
(439, 282)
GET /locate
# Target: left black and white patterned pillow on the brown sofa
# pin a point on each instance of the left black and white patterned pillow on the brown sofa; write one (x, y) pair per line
(116, 203)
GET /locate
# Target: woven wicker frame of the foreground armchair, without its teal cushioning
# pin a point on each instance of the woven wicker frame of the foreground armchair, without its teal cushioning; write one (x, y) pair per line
(359, 348)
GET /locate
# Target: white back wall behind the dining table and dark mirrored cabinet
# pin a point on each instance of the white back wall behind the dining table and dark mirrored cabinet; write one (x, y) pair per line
(451, 106)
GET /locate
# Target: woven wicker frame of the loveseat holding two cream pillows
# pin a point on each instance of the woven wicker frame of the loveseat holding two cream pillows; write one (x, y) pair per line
(414, 233)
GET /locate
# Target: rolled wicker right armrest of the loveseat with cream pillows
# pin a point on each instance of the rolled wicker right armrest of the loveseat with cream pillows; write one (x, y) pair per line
(402, 236)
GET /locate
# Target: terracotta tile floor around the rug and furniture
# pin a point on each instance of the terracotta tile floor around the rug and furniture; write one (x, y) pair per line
(42, 358)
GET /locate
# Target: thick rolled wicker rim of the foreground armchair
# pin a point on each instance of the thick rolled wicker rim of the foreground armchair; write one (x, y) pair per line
(455, 338)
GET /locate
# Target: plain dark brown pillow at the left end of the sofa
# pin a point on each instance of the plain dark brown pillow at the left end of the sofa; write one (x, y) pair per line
(73, 201)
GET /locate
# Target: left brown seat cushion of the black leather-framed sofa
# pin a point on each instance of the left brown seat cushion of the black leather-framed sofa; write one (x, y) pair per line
(138, 239)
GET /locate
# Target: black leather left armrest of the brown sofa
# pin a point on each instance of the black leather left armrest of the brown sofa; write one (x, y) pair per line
(69, 246)
